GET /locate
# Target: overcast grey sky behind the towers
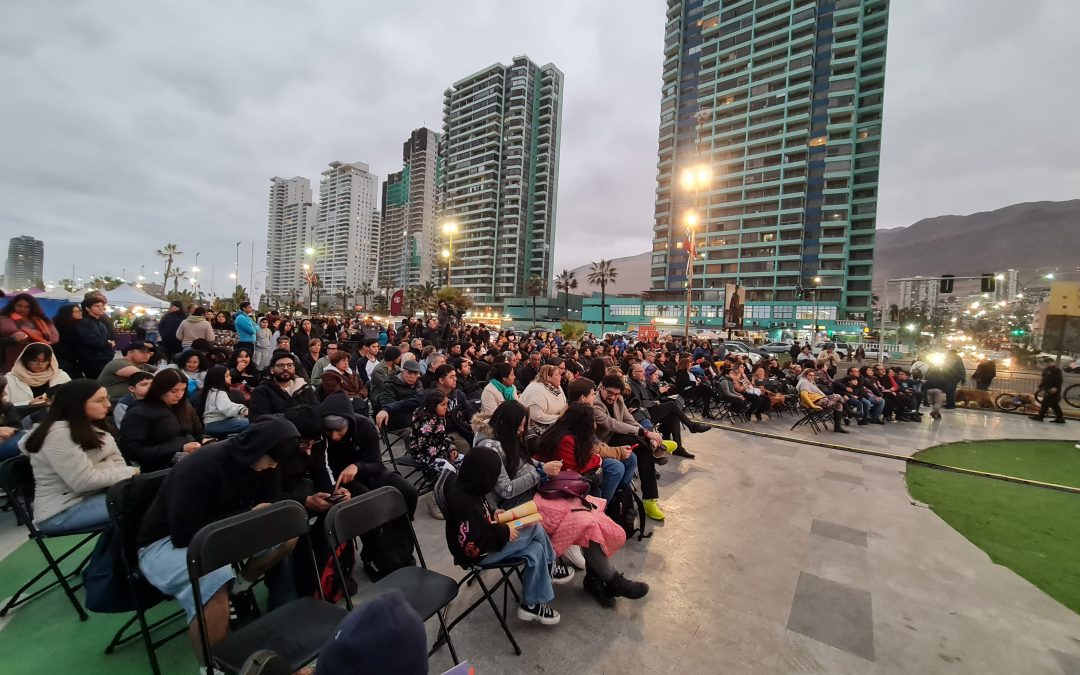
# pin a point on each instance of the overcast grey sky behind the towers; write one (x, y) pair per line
(125, 126)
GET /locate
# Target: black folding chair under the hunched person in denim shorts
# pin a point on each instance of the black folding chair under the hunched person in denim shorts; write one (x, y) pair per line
(128, 502)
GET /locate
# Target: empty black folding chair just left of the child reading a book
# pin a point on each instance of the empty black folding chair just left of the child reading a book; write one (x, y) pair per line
(428, 592)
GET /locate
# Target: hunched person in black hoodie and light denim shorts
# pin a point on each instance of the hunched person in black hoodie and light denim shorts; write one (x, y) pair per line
(221, 480)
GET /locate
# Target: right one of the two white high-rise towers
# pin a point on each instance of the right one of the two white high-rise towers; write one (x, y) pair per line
(347, 234)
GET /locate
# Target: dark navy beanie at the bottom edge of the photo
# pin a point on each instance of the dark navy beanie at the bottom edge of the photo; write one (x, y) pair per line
(385, 636)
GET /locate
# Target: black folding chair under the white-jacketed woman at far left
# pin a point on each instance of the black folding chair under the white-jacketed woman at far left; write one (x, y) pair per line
(17, 479)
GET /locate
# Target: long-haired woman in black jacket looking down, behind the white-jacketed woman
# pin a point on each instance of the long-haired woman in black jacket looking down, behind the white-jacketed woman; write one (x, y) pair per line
(164, 427)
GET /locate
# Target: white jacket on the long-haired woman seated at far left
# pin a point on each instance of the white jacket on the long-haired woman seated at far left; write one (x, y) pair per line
(64, 474)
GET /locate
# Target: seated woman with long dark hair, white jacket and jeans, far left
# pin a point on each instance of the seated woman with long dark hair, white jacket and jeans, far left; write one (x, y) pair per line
(75, 460)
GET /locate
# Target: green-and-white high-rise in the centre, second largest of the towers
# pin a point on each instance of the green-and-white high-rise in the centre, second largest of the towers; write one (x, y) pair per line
(501, 145)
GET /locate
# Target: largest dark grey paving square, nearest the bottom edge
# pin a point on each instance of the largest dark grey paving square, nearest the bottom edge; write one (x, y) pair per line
(834, 614)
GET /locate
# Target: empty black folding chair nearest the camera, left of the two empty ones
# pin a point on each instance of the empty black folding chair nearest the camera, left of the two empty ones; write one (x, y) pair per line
(298, 630)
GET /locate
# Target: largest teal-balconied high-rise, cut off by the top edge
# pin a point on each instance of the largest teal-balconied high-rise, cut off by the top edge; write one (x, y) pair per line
(781, 104)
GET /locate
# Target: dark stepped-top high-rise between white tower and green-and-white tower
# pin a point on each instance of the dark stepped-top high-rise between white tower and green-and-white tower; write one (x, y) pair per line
(409, 250)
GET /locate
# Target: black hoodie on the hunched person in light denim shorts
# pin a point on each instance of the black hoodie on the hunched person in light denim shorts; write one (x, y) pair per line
(218, 481)
